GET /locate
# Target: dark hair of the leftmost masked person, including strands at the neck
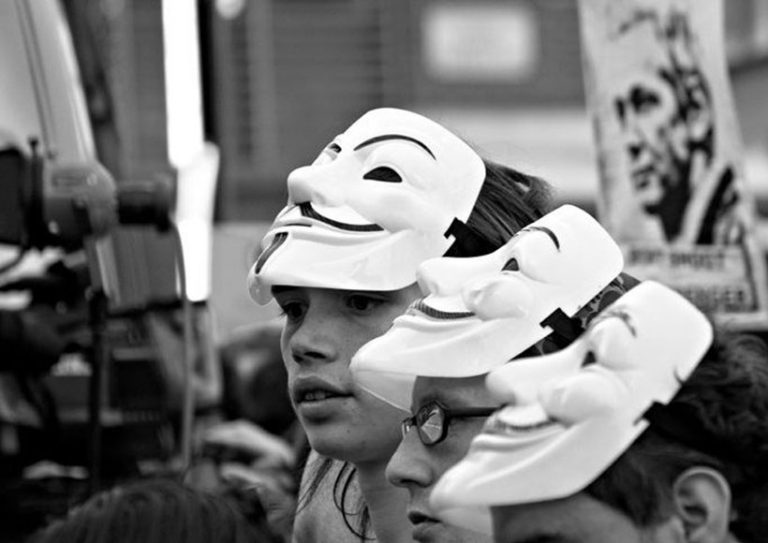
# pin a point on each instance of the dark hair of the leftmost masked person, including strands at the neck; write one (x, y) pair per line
(508, 201)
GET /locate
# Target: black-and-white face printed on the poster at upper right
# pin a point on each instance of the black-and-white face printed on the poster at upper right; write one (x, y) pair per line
(663, 105)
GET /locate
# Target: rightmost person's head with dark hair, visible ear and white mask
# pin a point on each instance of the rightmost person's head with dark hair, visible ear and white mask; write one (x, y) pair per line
(643, 430)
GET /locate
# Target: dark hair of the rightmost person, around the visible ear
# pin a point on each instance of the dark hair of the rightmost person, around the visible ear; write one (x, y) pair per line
(726, 398)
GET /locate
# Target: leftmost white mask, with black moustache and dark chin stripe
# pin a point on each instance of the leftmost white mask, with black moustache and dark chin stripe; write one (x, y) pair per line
(376, 203)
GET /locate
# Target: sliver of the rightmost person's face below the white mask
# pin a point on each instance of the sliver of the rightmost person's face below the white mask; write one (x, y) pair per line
(576, 519)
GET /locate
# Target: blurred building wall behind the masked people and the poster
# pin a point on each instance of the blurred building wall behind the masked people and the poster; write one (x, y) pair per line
(281, 77)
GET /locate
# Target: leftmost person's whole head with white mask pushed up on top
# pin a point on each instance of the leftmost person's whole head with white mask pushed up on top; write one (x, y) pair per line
(340, 259)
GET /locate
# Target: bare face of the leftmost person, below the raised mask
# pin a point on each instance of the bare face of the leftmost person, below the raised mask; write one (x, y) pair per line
(323, 329)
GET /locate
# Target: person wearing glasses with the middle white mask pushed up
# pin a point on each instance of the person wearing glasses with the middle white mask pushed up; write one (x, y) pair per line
(539, 289)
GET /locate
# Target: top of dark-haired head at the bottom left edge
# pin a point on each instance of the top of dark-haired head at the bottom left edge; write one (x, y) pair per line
(157, 511)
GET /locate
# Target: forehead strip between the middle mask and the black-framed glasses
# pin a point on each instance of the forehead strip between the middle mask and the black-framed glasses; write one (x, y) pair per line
(464, 391)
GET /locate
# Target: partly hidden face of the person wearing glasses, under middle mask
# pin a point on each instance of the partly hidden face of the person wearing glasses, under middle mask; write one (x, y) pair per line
(417, 467)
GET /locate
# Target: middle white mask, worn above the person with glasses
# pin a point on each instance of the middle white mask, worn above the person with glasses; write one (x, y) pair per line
(480, 312)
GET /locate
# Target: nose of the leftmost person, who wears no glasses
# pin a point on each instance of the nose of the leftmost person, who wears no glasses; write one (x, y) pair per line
(315, 339)
